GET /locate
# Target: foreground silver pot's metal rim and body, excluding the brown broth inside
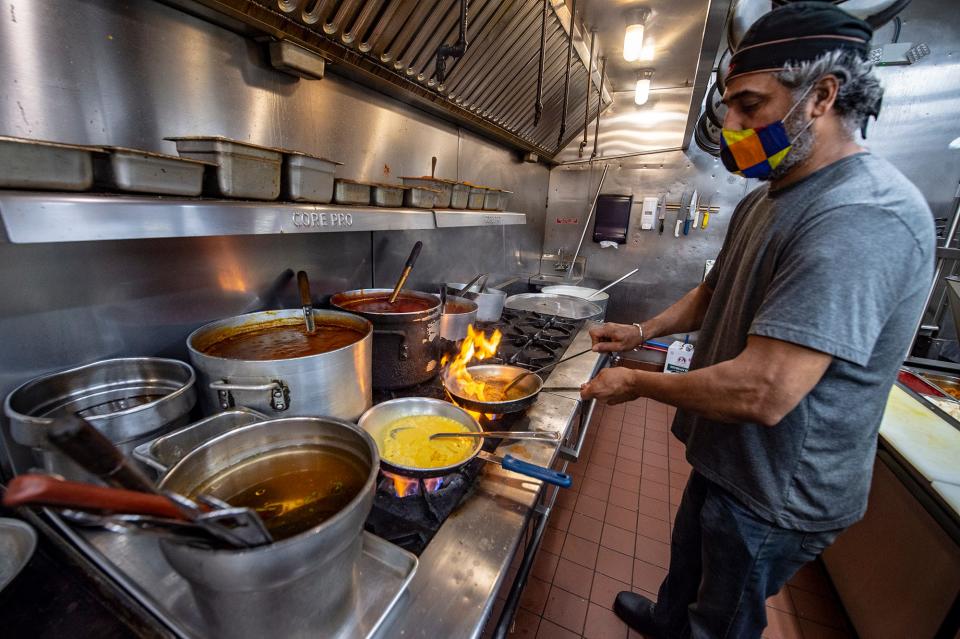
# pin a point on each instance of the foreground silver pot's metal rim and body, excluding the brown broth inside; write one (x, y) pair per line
(302, 586)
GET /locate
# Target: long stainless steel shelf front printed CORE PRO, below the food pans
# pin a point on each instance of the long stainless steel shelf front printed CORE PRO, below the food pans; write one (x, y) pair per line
(36, 217)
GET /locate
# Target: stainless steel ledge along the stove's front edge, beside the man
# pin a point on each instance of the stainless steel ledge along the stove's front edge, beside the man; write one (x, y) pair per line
(465, 564)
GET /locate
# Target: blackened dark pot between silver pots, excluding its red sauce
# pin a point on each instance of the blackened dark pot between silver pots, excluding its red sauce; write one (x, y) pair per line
(406, 346)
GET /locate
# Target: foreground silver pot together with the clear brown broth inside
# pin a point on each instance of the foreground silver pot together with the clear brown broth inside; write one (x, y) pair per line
(312, 481)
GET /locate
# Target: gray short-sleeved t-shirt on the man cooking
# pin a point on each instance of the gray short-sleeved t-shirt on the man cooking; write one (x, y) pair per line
(841, 263)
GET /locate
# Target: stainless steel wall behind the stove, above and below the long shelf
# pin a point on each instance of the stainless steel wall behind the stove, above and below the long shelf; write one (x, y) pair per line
(131, 73)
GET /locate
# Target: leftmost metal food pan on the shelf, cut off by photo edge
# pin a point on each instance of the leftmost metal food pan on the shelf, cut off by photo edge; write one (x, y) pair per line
(39, 165)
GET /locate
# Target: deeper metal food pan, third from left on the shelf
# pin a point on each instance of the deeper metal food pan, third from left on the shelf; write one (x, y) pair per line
(244, 170)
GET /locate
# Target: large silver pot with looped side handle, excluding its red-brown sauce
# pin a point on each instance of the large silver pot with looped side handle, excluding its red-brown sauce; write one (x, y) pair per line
(336, 383)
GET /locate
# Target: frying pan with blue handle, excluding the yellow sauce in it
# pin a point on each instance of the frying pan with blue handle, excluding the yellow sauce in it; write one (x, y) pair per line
(378, 420)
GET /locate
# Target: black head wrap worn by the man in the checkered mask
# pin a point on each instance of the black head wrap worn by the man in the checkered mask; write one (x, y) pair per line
(798, 32)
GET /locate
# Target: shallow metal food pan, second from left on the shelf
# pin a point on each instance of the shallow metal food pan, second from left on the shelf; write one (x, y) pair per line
(140, 171)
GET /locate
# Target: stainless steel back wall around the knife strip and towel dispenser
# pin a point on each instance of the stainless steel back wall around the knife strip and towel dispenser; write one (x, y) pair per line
(669, 266)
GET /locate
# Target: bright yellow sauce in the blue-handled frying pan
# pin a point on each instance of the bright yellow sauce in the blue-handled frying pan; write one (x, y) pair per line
(406, 442)
